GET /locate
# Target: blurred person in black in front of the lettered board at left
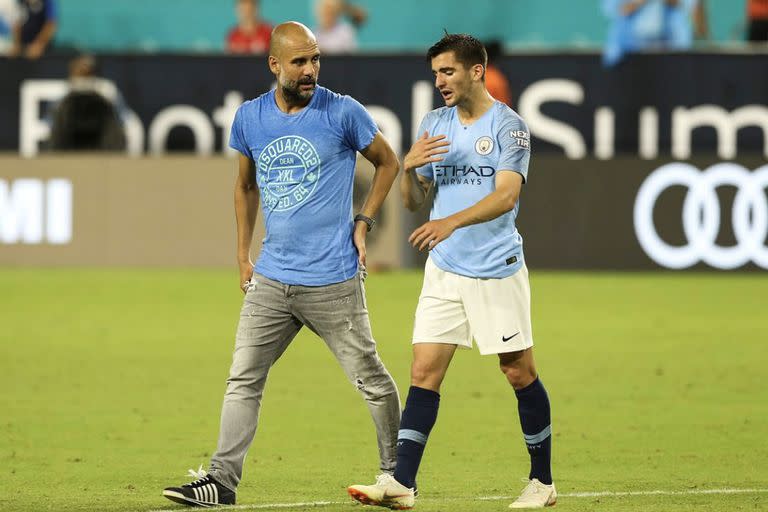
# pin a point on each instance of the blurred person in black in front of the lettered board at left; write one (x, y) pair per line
(88, 117)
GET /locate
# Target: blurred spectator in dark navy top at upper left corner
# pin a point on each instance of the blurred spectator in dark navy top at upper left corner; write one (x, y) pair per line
(35, 29)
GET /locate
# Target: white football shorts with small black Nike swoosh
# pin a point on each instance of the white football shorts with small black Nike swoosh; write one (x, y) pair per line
(454, 309)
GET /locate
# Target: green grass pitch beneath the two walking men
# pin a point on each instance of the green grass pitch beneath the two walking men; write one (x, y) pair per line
(111, 383)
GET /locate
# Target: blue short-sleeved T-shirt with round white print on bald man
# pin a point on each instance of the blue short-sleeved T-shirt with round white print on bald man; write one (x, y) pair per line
(305, 167)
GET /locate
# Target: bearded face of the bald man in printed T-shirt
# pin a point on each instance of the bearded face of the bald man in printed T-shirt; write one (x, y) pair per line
(298, 69)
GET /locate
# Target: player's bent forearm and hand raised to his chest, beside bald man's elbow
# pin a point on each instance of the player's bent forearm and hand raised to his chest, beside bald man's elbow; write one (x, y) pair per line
(414, 187)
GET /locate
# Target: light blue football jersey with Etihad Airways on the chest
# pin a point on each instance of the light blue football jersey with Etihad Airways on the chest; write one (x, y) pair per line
(498, 141)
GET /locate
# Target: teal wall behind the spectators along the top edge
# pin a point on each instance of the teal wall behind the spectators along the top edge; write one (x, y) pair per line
(395, 26)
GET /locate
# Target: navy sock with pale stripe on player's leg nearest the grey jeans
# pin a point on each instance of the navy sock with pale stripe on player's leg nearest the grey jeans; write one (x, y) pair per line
(418, 418)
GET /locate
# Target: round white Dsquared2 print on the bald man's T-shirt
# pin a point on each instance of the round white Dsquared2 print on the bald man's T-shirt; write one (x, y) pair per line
(288, 172)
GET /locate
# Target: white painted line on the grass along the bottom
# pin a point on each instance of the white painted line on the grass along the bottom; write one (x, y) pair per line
(594, 494)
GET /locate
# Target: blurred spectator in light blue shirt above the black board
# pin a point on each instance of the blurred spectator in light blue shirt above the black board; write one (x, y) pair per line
(647, 24)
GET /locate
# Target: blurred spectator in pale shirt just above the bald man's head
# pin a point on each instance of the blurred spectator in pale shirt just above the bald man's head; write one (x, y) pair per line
(333, 34)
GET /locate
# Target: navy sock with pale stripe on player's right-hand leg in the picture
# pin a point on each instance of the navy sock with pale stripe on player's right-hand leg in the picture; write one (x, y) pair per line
(533, 407)
